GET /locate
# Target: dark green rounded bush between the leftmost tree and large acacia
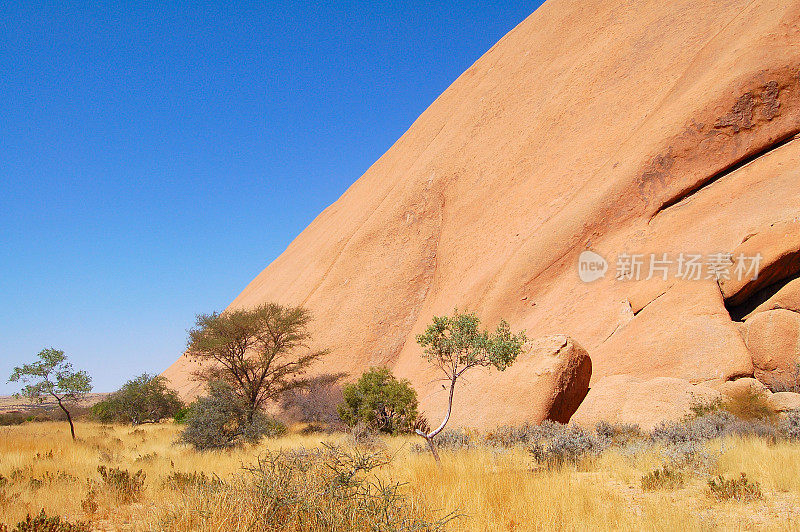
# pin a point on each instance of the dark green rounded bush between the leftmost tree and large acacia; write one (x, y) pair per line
(144, 399)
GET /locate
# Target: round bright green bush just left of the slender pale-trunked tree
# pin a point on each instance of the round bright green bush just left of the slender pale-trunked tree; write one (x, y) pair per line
(381, 401)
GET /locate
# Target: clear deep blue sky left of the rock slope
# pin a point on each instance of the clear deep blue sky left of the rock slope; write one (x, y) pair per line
(153, 160)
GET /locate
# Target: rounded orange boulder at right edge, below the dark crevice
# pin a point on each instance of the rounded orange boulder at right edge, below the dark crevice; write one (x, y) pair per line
(773, 339)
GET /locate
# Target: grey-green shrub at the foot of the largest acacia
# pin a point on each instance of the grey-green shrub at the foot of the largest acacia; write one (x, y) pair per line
(223, 420)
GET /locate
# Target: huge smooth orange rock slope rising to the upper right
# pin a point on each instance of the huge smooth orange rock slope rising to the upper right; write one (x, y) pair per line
(629, 129)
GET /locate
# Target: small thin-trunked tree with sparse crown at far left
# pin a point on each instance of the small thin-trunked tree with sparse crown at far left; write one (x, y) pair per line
(52, 375)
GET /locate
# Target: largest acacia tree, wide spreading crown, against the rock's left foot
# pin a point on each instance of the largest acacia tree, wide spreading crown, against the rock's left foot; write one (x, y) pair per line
(261, 352)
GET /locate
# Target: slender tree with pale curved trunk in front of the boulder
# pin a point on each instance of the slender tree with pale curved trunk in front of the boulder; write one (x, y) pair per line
(455, 344)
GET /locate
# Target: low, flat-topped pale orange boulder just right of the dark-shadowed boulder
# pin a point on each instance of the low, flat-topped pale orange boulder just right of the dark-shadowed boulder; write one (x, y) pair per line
(629, 399)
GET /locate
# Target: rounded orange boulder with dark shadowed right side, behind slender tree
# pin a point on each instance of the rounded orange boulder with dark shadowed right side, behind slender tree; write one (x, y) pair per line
(551, 378)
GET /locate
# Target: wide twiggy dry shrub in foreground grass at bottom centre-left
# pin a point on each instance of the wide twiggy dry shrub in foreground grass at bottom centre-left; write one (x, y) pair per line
(331, 488)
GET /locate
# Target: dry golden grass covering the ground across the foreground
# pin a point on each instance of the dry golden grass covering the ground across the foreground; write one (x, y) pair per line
(494, 490)
